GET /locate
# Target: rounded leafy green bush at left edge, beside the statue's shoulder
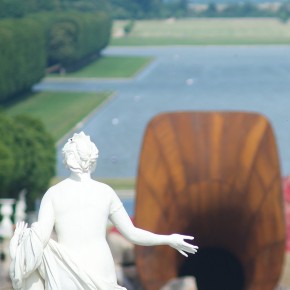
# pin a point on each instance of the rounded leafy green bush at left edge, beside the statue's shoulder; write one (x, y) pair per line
(27, 157)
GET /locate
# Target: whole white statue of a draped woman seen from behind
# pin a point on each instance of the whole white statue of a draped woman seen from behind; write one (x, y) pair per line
(79, 208)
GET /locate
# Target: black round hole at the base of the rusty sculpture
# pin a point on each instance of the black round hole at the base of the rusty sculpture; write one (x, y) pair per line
(214, 269)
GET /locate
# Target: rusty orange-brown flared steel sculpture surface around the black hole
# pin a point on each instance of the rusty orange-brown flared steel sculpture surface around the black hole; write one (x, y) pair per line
(216, 176)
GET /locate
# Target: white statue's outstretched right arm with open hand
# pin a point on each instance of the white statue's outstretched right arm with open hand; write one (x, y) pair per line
(138, 236)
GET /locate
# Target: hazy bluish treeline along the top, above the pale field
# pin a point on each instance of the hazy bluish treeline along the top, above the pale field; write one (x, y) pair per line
(142, 9)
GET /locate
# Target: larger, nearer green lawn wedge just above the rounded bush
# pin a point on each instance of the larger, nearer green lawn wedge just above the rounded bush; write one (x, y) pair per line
(60, 112)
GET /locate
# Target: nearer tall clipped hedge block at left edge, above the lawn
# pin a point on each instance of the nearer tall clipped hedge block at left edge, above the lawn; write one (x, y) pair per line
(22, 56)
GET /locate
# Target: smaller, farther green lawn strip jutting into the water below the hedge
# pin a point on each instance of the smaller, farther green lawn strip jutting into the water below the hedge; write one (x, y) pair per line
(111, 67)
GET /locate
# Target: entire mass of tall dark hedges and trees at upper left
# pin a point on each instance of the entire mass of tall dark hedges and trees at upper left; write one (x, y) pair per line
(44, 33)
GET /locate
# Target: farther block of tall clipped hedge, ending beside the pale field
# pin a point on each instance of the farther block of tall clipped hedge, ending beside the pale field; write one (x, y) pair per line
(73, 36)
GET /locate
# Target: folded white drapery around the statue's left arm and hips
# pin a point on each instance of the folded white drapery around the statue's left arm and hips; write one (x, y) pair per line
(50, 268)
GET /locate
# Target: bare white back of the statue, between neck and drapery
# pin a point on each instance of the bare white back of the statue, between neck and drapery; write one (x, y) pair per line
(81, 215)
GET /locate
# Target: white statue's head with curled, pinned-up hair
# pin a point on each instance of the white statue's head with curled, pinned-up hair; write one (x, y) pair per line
(80, 153)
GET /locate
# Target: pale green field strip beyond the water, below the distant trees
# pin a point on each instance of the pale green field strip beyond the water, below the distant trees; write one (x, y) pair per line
(204, 31)
